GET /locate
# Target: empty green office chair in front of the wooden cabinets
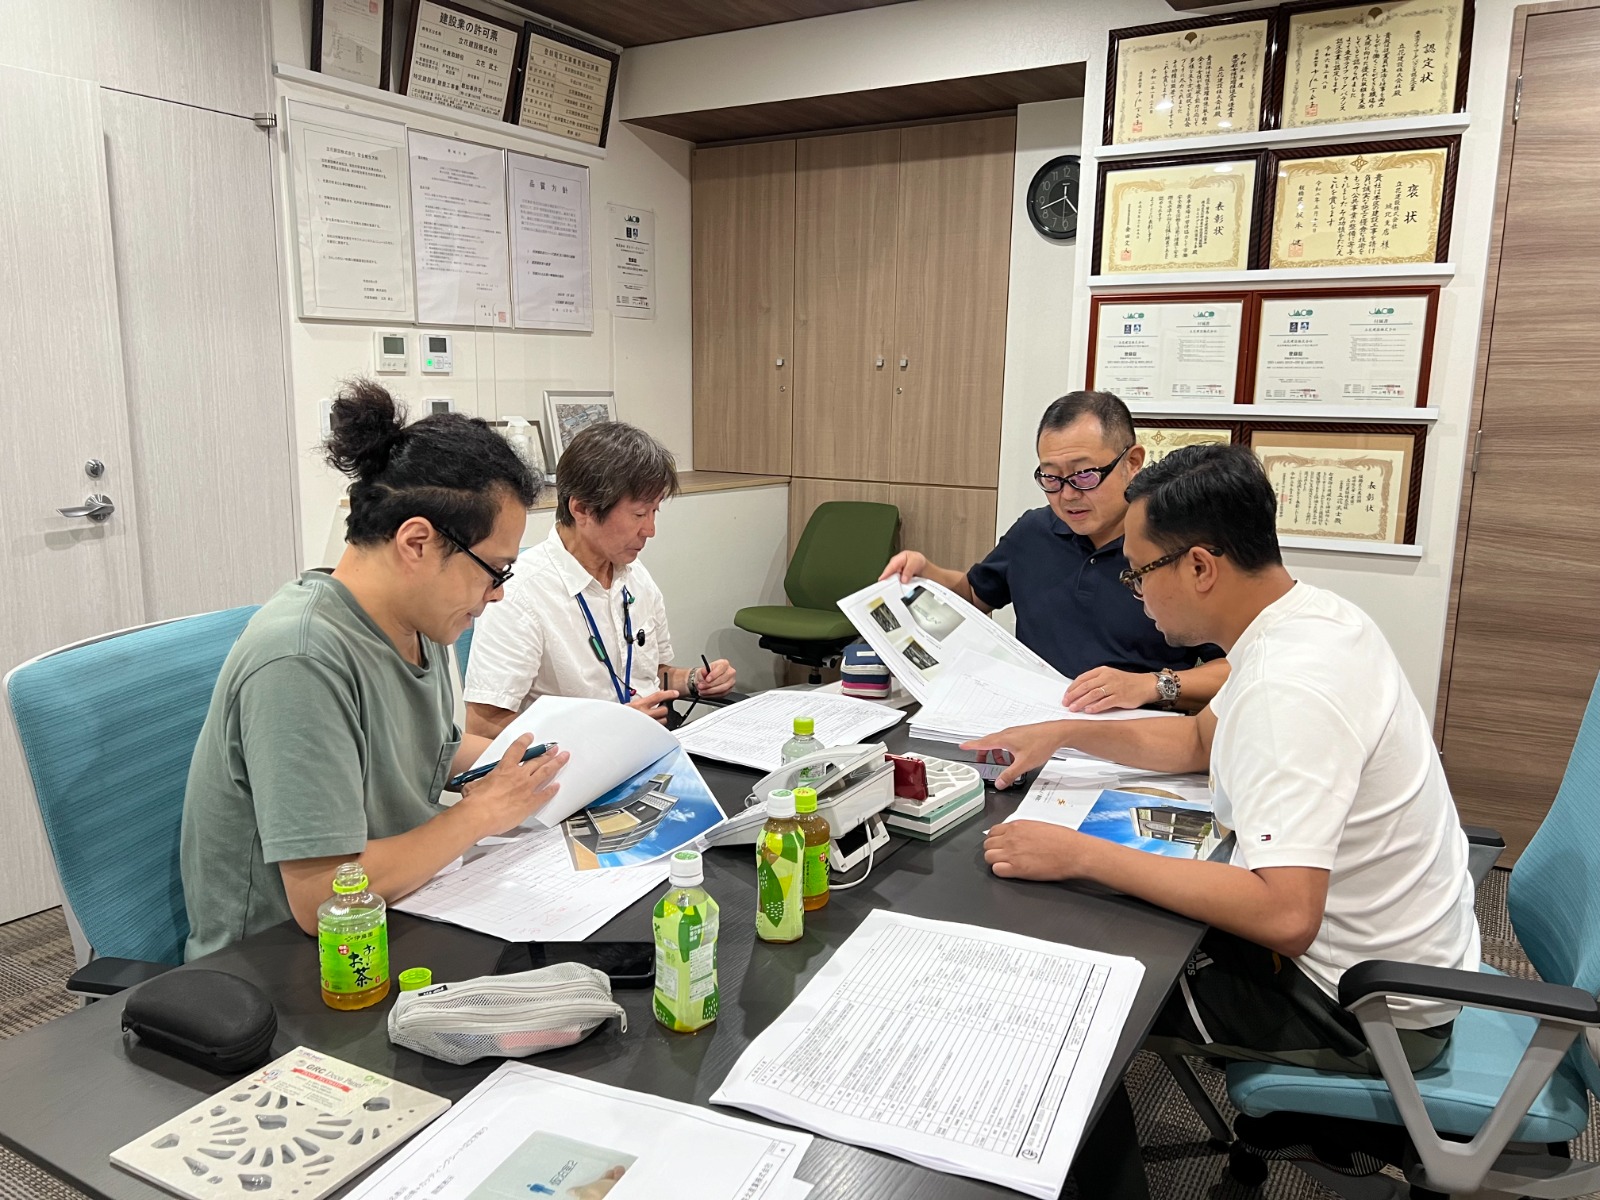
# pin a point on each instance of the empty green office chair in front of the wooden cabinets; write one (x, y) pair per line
(844, 548)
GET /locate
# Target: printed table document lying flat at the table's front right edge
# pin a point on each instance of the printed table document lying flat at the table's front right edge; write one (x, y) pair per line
(961, 1049)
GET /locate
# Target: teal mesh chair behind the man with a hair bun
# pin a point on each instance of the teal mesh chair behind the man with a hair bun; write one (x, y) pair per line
(108, 729)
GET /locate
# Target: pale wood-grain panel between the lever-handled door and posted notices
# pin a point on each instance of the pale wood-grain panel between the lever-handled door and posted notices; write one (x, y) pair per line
(198, 268)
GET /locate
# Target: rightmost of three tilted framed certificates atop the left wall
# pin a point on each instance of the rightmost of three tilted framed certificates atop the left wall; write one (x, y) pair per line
(564, 86)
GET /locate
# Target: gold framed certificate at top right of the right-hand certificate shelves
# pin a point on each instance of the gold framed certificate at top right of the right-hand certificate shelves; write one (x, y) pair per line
(1354, 63)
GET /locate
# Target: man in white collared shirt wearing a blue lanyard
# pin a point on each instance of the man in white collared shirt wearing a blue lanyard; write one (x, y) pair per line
(583, 617)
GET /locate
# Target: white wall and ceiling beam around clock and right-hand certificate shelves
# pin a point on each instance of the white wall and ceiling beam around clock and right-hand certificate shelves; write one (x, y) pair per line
(940, 39)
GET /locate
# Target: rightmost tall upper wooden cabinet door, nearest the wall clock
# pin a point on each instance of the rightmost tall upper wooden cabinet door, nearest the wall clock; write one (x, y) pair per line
(953, 268)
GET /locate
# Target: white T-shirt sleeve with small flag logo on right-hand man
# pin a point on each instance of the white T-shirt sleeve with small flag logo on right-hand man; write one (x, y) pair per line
(1292, 772)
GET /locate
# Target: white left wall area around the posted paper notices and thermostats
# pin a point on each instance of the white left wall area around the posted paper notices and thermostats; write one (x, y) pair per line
(498, 374)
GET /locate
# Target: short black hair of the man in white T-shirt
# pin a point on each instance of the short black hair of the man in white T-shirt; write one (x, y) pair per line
(1214, 497)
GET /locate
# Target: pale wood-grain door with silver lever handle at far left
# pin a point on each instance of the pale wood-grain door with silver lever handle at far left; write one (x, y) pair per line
(63, 406)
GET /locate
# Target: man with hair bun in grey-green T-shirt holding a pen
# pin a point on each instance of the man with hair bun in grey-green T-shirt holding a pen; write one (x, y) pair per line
(330, 734)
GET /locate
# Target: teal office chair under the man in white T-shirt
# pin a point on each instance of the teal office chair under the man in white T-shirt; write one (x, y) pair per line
(1492, 1116)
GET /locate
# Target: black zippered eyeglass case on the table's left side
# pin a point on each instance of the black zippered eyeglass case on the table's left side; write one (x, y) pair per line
(212, 1020)
